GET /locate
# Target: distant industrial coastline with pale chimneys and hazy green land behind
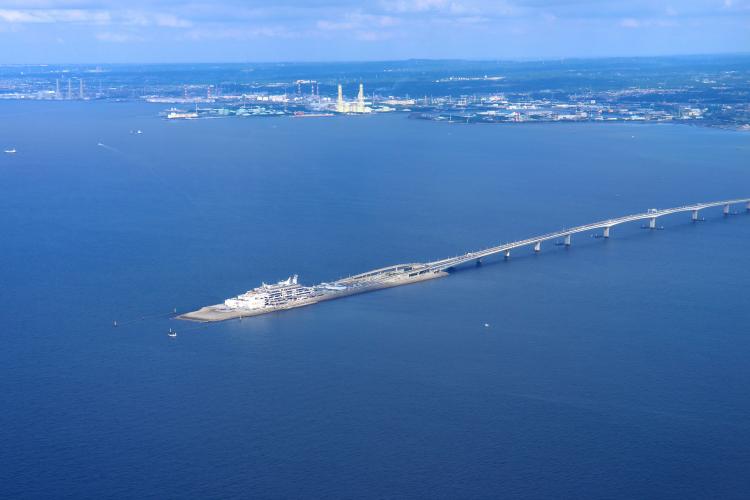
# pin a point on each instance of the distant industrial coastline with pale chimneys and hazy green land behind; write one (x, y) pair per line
(699, 91)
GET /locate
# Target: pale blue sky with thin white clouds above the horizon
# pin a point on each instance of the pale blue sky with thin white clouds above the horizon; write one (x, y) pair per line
(140, 31)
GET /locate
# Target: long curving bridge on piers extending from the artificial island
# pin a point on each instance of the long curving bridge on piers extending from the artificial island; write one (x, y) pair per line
(566, 234)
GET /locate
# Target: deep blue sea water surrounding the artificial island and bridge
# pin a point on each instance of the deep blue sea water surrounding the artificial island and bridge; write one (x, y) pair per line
(613, 369)
